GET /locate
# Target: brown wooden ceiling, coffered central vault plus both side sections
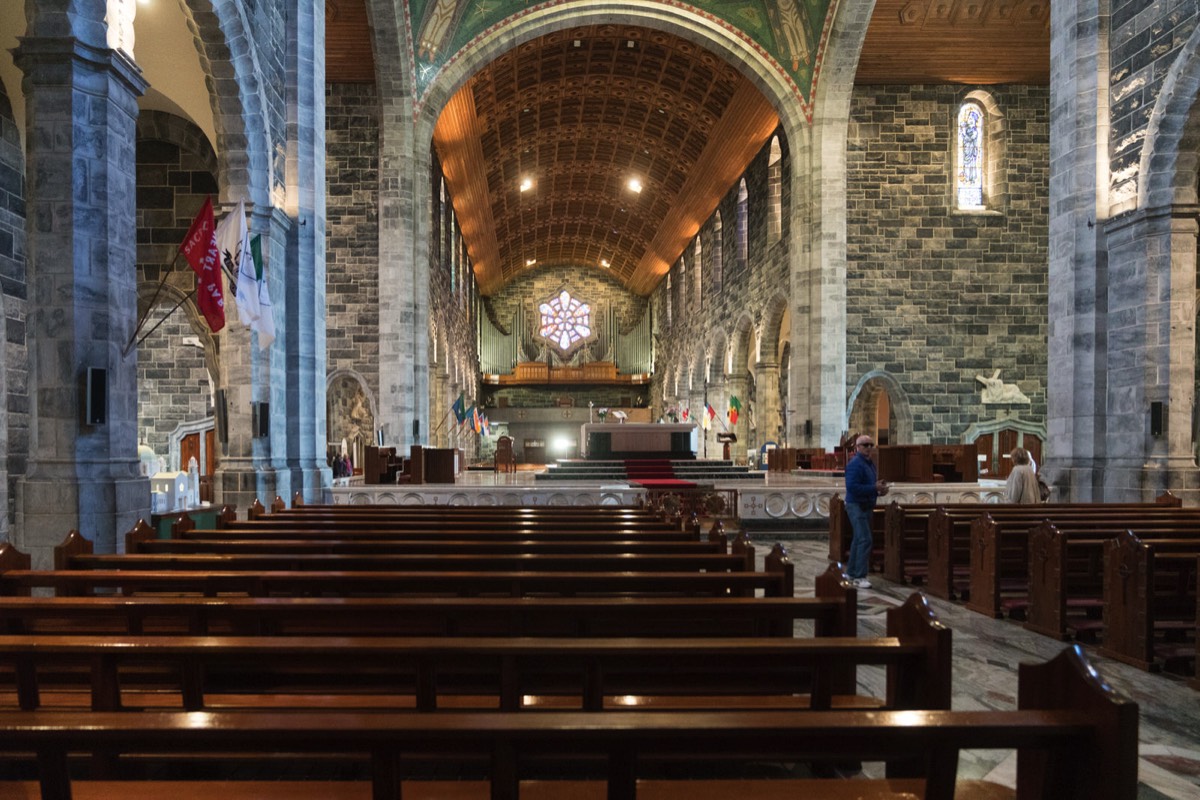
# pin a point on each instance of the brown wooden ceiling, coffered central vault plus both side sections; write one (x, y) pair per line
(583, 112)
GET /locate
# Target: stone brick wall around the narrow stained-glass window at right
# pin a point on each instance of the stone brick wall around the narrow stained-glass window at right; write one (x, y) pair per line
(937, 297)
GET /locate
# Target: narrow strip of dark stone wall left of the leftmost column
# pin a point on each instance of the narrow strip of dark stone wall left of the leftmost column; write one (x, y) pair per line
(14, 287)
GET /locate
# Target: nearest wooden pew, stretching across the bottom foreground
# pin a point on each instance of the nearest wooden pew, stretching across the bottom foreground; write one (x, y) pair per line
(1076, 741)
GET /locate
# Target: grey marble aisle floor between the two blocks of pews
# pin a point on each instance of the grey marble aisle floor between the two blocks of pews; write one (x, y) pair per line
(987, 653)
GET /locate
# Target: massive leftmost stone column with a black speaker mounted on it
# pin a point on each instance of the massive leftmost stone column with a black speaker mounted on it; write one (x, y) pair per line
(81, 101)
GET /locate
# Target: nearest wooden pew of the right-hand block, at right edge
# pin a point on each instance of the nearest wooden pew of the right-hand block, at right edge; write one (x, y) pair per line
(1150, 588)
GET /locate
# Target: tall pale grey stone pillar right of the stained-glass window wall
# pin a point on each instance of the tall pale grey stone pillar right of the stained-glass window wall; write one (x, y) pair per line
(1078, 302)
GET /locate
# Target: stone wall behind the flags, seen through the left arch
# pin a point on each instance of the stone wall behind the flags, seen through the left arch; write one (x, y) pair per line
(176, 173)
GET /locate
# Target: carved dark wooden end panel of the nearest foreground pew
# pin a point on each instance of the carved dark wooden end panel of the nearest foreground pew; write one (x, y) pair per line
(1111, 772)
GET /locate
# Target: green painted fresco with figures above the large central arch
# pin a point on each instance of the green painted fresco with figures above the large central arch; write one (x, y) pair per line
(785, 32)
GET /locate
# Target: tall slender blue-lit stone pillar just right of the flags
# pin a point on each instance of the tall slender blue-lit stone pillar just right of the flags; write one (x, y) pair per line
(304, 297)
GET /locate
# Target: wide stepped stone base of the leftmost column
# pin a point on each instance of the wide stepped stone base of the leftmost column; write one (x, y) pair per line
(101, 510)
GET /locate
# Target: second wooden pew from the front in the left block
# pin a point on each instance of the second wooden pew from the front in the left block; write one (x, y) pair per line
(430, 673)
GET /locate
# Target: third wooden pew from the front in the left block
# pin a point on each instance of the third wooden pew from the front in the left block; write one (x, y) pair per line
(832, 611)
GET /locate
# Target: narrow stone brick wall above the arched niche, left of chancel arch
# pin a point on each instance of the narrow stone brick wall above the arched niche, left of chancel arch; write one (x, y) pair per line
(352, 242)
